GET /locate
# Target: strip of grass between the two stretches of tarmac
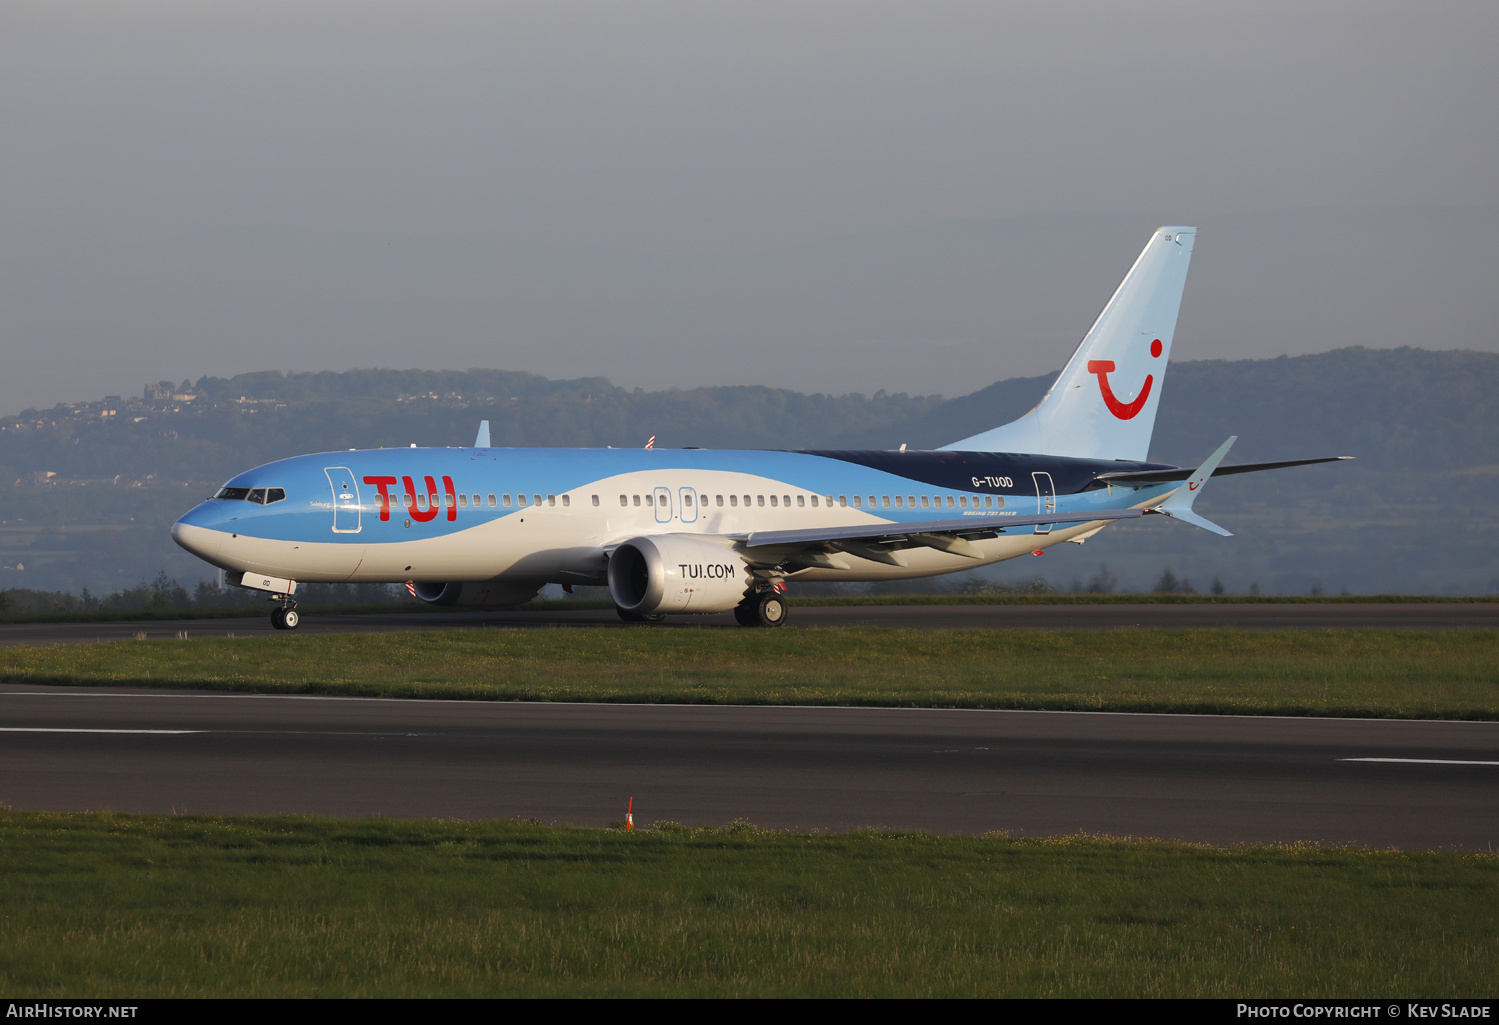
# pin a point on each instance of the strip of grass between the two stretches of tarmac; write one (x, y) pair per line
(1450, 675)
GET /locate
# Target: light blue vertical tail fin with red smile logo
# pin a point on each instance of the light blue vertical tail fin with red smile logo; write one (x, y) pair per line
(1104, 402)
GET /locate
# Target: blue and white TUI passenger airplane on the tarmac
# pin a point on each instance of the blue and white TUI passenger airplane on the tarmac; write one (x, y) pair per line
(696, 531)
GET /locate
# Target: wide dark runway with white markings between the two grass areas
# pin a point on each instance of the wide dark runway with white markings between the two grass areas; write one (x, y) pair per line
(1218, 780)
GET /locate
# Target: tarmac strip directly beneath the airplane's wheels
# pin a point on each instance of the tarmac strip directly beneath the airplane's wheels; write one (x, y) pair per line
(1122, 617)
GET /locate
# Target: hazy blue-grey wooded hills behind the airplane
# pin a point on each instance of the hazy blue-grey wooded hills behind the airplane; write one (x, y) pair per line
(91, 489)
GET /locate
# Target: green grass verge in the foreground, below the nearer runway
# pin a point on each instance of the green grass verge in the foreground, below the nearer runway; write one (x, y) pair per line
(124, 906)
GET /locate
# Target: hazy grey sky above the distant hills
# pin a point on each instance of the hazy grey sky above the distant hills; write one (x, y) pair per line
(831, 197)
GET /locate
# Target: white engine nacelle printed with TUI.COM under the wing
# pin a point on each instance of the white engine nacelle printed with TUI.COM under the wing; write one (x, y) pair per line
(669, 575)
